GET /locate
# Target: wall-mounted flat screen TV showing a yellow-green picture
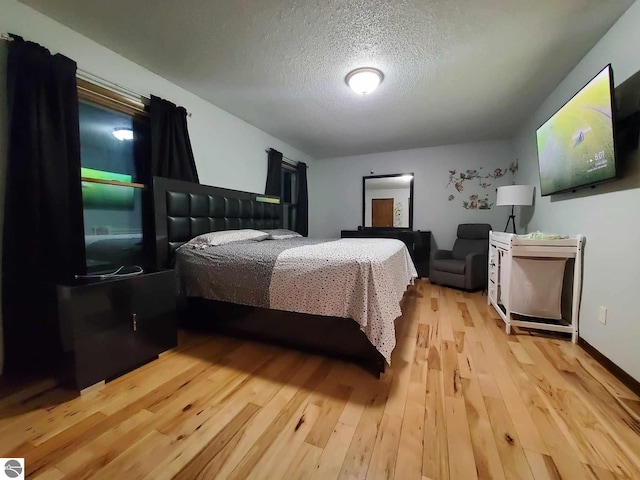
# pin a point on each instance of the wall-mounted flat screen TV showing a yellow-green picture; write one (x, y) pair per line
(576, 146)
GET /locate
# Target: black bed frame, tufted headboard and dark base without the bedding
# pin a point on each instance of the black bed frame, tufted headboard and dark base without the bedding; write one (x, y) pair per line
(183, 210)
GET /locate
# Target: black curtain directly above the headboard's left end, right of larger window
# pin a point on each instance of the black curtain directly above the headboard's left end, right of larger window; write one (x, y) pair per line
(171, 152)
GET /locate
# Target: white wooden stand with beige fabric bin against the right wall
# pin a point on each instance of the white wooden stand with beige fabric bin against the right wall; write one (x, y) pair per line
(506, 282)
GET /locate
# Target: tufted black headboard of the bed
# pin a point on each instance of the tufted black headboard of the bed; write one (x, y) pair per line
(183, 210)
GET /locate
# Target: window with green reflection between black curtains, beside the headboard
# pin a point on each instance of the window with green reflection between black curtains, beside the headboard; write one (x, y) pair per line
(114, 141)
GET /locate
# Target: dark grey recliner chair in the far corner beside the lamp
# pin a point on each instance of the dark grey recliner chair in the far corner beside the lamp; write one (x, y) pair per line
(465, 266)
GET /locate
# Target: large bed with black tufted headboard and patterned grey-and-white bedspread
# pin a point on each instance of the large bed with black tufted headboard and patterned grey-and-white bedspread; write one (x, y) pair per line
(267, 289)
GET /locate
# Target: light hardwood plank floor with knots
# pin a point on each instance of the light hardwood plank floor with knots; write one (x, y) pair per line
(461, 400)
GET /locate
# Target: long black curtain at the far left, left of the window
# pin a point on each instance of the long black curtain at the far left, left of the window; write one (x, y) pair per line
(43, 225)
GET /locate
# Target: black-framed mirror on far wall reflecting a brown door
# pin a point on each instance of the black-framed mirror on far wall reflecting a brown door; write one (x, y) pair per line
(387, 201)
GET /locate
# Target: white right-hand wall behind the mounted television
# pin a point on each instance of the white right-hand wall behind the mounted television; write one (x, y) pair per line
(609, 215)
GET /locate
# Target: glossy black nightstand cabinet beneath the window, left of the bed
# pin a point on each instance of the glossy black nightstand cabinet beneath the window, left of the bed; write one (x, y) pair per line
(111, 326)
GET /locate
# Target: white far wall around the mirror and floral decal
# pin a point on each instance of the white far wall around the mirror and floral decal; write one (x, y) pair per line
(335, 188)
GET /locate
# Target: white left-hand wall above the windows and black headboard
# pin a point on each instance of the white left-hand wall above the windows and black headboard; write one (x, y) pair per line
(229, 152)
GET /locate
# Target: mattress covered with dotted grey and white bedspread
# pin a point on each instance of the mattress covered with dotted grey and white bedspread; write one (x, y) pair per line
(360, 279)
